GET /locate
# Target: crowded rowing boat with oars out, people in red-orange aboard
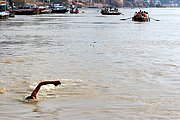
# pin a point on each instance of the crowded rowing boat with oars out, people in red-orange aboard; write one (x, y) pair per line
(141, 16)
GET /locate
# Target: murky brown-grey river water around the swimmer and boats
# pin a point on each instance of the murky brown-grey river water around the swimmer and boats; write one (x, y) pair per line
(110, 69)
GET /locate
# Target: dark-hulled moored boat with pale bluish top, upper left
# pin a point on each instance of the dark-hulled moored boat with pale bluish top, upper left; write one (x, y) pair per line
(59, 8)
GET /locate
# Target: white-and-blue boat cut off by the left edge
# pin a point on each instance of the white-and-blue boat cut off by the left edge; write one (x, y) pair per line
(4, 13)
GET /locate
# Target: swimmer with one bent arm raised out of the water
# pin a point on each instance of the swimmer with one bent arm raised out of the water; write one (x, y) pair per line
(35, 91)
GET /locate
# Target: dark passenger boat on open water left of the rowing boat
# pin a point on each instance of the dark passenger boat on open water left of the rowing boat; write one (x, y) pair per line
(110, 11)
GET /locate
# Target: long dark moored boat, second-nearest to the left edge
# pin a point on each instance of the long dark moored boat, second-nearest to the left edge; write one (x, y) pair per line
(27, 10)
